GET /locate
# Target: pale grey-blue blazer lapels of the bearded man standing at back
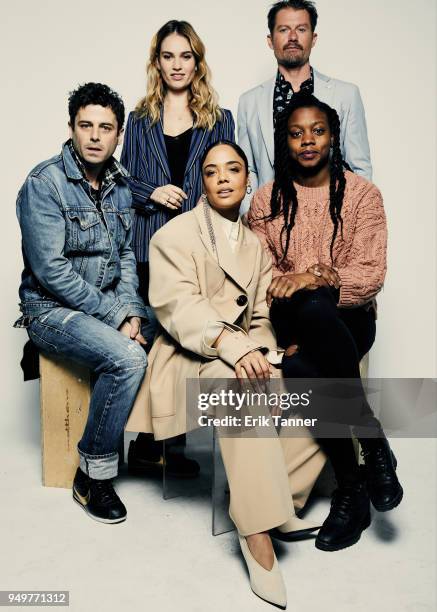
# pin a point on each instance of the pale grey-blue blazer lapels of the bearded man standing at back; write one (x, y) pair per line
(323, 89)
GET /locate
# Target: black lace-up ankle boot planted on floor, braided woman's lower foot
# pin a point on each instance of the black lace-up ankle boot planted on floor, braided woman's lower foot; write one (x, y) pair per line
(348, 517)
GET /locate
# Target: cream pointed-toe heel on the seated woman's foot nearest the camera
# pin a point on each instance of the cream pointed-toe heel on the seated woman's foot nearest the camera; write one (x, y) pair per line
(266, 584)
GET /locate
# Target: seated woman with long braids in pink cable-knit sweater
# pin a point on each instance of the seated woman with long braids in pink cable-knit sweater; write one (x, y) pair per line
(325, 229)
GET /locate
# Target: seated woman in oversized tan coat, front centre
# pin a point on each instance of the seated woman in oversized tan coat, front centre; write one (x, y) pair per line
(208, 280)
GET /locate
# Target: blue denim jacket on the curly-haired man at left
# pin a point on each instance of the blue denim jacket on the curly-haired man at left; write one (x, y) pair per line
(76, 255)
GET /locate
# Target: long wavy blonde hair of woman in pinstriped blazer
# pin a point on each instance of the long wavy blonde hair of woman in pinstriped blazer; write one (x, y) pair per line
(203, 99)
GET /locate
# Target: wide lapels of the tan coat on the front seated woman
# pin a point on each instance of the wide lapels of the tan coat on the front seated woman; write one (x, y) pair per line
(238, 265)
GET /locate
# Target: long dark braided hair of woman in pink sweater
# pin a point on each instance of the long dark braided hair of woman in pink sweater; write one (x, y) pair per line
(284, 197)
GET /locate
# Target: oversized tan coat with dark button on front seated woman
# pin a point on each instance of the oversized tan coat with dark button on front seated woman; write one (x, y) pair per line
(188, 290)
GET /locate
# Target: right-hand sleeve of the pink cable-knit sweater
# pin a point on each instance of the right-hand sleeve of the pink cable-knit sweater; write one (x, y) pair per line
(362, 276)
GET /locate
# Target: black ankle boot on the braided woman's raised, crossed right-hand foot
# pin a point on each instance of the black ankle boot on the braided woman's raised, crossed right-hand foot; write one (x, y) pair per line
(383, 485)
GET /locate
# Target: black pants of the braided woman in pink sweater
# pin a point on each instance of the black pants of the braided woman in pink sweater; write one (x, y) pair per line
(331, 342)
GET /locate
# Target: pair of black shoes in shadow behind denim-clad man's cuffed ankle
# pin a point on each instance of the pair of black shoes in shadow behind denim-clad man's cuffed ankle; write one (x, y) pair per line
(144, 463)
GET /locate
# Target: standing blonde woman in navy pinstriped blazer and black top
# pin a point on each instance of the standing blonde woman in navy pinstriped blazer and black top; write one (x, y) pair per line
(164, 142)
